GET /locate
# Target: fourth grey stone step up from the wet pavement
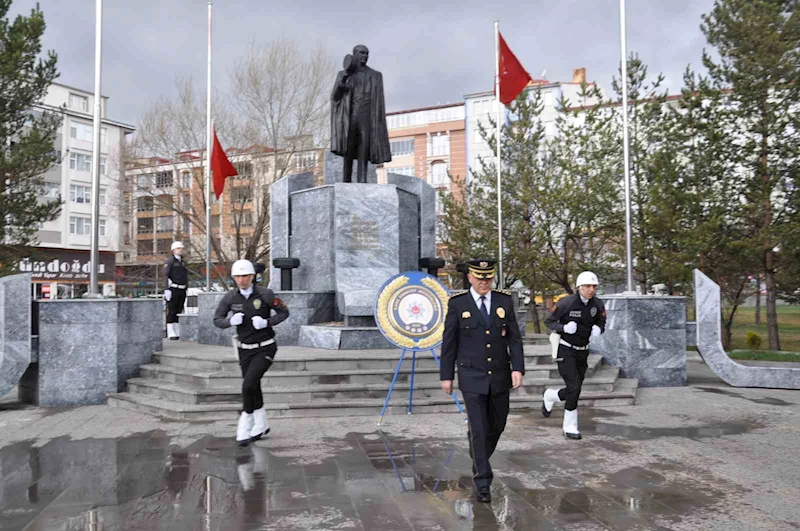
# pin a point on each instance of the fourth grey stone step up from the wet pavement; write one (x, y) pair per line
(331, 362)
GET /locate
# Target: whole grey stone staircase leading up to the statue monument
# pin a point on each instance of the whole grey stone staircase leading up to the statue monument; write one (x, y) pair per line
(193, 382)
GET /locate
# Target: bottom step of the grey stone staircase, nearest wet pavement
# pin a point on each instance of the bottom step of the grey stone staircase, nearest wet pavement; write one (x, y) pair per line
(228, 411)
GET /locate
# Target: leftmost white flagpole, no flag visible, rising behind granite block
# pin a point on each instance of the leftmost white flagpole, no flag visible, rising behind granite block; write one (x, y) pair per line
(94, 256)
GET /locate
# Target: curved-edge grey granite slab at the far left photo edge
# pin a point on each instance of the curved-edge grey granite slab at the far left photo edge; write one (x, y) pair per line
(15, 330)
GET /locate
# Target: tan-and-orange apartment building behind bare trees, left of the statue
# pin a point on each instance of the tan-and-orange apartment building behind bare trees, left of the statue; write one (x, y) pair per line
(166, 201)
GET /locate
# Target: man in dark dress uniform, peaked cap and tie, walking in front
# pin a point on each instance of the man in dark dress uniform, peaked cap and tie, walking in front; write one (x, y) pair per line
(482, 337)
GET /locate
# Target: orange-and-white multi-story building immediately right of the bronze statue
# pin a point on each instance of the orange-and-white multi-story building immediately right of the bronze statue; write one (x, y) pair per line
(429, 143)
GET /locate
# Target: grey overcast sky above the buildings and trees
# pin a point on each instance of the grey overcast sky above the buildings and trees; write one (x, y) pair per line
(429, 51)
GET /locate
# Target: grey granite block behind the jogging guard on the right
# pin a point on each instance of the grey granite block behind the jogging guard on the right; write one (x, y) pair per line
(646, 338)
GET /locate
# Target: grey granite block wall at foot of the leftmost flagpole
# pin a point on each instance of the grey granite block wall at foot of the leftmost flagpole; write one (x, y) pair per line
(90, 347)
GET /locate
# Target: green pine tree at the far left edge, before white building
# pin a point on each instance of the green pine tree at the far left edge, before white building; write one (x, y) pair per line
(27, 134)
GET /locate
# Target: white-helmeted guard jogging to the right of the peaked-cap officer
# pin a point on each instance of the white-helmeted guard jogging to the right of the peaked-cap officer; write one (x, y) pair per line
(575, 320)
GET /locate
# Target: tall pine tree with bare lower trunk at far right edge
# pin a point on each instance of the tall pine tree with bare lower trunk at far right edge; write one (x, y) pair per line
(758, 44)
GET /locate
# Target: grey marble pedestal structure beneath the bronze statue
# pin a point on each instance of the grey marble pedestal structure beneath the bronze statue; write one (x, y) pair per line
(350, 239)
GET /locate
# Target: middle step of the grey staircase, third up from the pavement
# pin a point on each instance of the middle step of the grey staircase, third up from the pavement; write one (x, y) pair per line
(349, 376)
